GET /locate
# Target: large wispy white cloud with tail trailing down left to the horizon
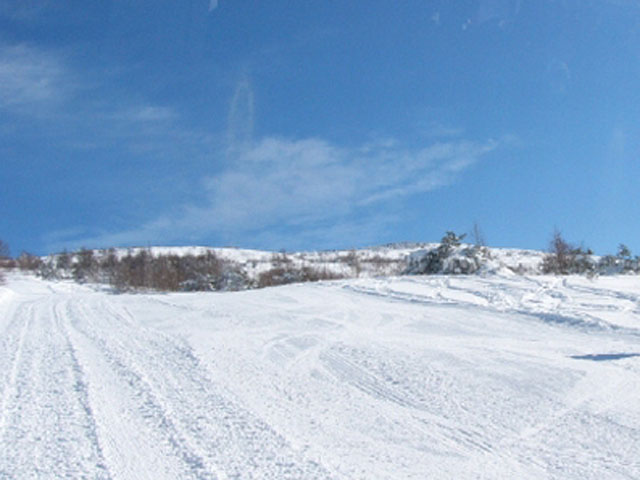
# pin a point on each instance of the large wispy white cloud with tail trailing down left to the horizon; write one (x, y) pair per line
(300, 185)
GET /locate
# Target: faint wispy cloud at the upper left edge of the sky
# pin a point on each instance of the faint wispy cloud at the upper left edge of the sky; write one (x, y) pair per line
(39, 85)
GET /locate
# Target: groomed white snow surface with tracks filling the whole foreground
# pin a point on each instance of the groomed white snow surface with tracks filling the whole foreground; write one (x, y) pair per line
(497, 377)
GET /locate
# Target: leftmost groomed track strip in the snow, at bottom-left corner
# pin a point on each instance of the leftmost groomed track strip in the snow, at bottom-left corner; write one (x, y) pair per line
(47, 431)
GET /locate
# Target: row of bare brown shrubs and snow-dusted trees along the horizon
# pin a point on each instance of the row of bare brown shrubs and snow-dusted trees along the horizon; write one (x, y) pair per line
(141, 269)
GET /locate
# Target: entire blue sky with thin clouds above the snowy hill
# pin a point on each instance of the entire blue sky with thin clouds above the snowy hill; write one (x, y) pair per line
(318, 124)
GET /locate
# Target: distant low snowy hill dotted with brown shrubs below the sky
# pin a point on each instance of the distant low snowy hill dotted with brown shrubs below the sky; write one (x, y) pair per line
(207, 268)
